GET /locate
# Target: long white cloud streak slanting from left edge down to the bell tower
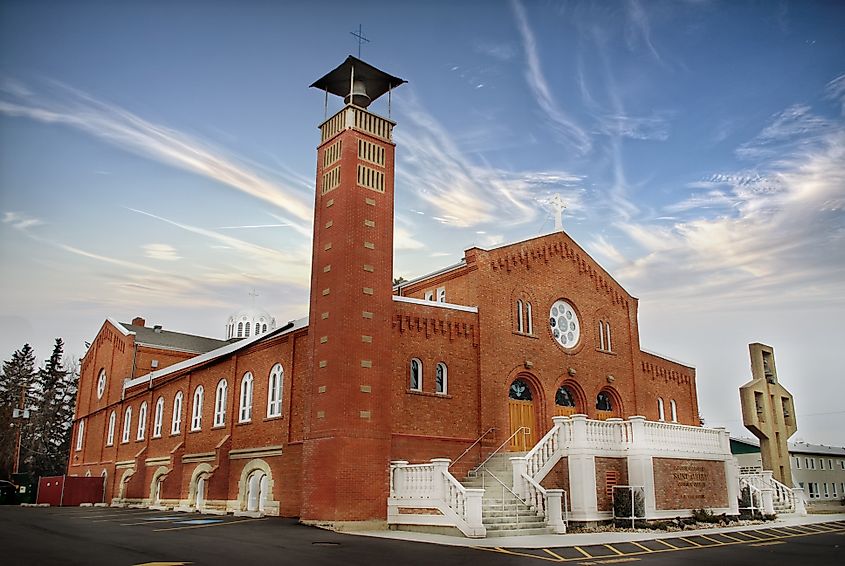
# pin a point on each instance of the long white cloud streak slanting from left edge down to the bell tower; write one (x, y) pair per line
(129, 131)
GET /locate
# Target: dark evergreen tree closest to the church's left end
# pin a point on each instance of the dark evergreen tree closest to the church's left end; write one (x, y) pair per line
(54, 399)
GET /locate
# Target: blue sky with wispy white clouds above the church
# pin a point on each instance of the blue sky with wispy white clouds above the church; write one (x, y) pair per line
(158, 159)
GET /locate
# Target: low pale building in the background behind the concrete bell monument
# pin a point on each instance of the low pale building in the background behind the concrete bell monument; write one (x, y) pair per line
(819, 470)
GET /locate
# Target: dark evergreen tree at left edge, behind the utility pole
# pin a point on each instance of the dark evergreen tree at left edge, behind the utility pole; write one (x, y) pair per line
(16, 386)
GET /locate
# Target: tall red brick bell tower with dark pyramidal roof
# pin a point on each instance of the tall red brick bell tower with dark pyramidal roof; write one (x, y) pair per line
(346, 449)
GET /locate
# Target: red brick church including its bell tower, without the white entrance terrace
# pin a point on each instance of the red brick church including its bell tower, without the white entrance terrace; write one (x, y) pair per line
(304, 419)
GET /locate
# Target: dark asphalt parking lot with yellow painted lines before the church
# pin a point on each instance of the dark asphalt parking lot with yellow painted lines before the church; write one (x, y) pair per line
(93, 536)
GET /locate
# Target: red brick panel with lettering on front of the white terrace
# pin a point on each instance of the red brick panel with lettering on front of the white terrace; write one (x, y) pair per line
(689, 484)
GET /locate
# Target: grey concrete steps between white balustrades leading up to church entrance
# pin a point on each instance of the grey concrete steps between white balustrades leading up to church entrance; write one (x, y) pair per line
(502, 513)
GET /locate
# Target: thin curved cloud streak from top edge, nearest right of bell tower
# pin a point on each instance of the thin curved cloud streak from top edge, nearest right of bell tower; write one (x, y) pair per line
(570, 131)
